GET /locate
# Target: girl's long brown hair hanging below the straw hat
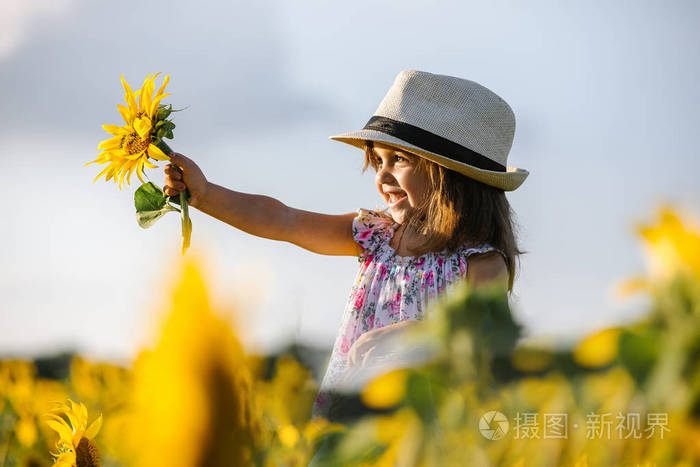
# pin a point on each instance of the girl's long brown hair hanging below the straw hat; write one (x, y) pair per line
(459, 210)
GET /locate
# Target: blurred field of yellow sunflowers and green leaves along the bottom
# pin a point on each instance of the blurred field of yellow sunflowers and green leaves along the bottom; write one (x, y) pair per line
(627, 395)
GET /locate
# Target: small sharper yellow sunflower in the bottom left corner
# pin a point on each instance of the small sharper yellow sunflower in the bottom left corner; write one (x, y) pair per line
(76, 447)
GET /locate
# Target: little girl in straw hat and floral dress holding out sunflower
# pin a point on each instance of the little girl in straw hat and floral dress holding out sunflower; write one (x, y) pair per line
(439, 147)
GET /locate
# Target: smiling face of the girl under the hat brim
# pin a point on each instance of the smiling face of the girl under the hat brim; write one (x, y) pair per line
(399, 181)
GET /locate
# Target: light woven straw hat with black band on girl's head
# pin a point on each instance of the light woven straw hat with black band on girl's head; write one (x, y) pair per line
(453, 122)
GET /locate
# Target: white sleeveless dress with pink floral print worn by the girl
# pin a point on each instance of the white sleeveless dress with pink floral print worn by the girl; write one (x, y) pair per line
(388, 289)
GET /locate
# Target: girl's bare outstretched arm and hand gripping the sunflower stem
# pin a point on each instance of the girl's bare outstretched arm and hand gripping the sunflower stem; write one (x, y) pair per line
(261, 215)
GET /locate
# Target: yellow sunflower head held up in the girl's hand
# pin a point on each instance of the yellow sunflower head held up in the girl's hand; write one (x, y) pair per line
(131, 145)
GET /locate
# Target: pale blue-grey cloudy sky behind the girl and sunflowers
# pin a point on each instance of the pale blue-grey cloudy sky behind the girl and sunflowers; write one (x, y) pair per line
(605, 96)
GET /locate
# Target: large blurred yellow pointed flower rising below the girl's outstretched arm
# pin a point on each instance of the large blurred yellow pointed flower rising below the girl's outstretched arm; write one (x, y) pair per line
(192, 402)
